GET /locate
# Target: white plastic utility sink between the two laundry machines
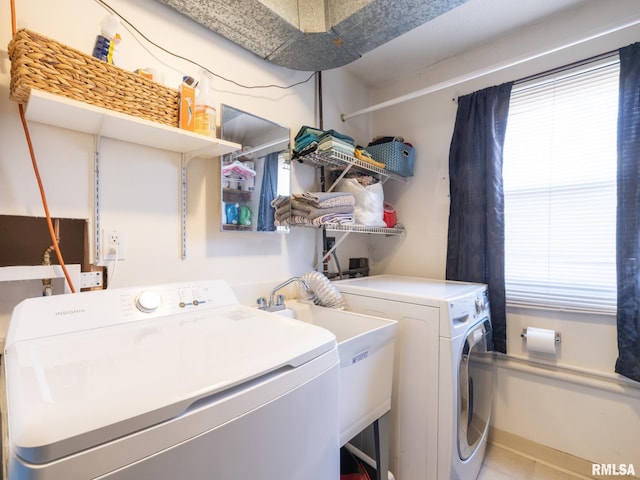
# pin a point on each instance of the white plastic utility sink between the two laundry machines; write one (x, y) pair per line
(365, 349)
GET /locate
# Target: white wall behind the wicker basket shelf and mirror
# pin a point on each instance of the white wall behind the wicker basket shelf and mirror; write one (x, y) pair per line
(140, 194)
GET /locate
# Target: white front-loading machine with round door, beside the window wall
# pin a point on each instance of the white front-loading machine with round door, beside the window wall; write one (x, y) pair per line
(443, 378)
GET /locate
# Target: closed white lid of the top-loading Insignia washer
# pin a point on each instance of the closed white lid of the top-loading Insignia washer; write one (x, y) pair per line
(70, 392)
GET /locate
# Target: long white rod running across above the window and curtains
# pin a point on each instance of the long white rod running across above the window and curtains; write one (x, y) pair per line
(481, 73)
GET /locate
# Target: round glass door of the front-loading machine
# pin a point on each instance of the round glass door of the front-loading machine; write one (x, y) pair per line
(475, 388)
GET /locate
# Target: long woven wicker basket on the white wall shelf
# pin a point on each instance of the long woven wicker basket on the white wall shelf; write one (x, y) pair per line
(44, 64)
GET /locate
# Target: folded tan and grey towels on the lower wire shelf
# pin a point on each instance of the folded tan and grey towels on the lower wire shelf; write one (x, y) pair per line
(314, 208)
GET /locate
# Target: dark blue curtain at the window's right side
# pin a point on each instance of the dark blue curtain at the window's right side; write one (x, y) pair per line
(628, 214)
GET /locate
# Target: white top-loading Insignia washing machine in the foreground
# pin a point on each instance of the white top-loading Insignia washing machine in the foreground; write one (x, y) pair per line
(167, 382)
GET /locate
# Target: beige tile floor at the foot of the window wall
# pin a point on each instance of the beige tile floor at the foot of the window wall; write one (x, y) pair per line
(502, 464)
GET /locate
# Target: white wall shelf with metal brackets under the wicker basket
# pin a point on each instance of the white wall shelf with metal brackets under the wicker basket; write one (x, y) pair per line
(50, 109)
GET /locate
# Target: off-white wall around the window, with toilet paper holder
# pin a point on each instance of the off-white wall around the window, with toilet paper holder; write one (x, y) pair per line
(587, 410)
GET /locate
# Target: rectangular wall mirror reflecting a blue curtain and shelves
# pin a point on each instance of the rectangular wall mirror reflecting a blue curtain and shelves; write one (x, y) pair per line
(254, 176)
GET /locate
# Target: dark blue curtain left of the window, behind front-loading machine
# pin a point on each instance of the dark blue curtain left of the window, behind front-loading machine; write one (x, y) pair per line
(475, 249)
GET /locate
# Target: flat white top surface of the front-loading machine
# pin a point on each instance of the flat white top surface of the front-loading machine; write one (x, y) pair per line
(422, 291)
